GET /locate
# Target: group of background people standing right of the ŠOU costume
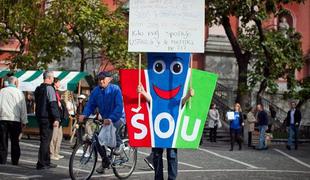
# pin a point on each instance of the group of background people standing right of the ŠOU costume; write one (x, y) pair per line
(242, 125)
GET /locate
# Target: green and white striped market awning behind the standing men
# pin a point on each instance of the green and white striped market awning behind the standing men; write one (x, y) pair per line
(29, 80)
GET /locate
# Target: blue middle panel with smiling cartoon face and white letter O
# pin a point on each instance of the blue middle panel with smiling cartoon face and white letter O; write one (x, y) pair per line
(167, 74)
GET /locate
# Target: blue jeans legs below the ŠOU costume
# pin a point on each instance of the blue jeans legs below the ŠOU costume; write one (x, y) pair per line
(172, 157)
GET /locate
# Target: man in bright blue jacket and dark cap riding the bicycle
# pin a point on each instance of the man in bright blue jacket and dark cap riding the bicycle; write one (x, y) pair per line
(107, 98)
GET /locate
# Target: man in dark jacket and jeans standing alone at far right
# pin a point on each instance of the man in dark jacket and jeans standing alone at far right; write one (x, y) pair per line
(293, 120)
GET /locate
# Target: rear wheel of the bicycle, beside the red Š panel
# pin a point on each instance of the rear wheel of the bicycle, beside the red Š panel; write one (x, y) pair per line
(124, 164)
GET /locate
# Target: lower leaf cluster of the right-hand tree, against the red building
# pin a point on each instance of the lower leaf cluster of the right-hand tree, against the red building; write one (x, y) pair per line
(286, 56)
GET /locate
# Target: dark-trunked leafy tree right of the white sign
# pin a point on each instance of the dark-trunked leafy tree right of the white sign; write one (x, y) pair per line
(266, 47)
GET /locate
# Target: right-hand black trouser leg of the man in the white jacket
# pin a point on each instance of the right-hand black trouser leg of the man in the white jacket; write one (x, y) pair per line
(15, 130)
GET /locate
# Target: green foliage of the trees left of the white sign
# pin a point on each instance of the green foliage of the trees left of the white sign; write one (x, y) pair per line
(44, 34)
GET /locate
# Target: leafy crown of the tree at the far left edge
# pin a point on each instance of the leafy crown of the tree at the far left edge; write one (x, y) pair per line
(39, 40)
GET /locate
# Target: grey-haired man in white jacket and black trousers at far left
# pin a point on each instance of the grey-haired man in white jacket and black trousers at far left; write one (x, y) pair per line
(13, 117)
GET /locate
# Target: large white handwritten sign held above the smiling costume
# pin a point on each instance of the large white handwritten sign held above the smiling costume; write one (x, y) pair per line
(166, 26)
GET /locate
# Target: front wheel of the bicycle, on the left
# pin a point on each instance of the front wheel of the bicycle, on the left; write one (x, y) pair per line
(82, 161)
